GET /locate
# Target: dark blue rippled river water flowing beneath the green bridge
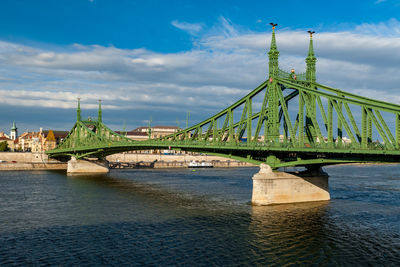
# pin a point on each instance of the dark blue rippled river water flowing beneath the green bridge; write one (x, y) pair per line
(198, 217)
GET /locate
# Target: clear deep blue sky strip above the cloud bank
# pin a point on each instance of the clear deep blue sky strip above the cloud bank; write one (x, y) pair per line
(147, 24)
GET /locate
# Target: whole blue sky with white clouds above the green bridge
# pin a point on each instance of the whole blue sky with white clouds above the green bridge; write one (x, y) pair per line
(162, 59)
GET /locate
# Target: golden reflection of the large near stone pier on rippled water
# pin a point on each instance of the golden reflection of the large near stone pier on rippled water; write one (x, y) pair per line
(289, 234)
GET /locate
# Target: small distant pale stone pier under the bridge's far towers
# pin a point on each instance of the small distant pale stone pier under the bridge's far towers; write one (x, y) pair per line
(82, 166)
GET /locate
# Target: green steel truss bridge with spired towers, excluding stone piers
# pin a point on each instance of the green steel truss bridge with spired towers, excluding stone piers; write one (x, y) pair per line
(288, 120)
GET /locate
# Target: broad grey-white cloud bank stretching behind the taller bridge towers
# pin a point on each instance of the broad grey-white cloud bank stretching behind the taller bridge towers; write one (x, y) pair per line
(224, 65)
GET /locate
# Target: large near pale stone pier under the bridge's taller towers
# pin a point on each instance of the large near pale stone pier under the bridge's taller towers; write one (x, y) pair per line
(280, 187)
